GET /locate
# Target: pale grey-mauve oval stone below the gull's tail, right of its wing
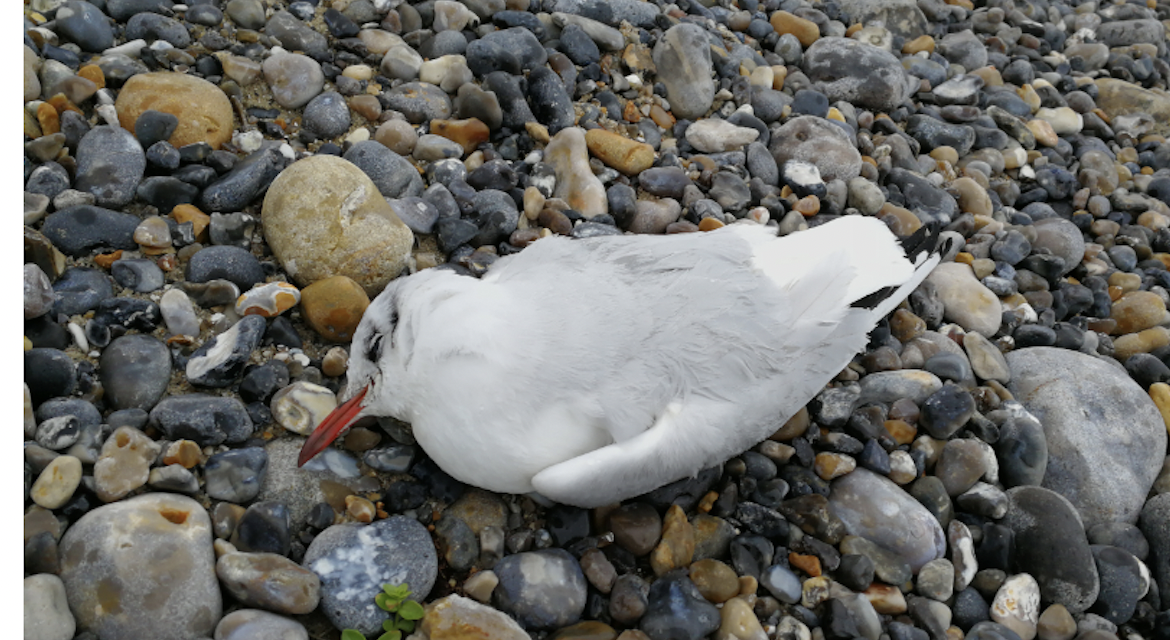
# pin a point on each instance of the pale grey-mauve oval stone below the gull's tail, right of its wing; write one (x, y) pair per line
(875, 508)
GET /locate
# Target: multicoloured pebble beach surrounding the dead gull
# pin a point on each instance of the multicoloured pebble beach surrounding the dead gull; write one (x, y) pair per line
(215, 192)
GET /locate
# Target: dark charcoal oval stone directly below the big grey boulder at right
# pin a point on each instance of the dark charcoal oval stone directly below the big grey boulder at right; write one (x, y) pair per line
(1052, 547)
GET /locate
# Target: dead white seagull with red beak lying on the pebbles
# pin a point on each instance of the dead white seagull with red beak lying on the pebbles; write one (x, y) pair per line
(596, 370)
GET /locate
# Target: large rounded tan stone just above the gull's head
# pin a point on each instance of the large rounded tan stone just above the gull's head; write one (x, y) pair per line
(325, 217)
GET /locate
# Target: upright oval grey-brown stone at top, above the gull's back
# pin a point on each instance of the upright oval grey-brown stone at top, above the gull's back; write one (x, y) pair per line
(684, 61)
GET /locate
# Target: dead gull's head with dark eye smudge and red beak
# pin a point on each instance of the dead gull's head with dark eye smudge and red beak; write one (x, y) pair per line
(378, 356)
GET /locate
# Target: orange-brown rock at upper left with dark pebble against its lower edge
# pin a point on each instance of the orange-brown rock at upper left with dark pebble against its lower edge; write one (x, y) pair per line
(204, 112)
